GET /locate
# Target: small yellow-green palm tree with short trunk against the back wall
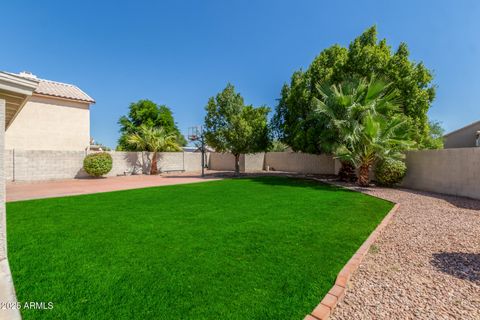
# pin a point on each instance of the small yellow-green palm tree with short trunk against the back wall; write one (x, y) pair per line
(154, 140)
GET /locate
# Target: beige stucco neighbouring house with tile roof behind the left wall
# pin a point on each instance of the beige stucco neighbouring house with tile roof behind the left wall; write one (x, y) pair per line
(56, 116)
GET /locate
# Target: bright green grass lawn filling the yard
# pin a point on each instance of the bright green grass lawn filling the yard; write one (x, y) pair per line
(256, 248)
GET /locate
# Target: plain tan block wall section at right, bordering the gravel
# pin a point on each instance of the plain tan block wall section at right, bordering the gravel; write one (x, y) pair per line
(449, 171)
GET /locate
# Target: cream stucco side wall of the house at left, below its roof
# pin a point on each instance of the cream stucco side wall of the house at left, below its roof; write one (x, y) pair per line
(50, 124)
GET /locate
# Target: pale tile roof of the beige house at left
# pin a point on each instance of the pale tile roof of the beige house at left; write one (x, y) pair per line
(57, 89)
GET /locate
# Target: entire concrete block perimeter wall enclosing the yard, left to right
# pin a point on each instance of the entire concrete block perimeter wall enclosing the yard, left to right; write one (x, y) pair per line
(449, 171)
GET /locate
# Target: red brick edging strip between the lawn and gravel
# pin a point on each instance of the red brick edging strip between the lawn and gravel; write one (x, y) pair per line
(323, 310)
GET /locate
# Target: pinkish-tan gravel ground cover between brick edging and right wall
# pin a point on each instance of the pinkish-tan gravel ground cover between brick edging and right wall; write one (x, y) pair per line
(425, 264)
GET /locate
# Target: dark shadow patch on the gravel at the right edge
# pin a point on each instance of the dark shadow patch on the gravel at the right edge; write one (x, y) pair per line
(462, 265)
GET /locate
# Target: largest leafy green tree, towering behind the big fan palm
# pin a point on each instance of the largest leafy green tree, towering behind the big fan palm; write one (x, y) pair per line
(366, 57)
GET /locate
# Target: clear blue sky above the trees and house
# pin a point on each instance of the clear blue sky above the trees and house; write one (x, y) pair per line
(180, 53)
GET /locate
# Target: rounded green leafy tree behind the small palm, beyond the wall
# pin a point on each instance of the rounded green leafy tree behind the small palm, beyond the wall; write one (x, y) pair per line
(149, 114)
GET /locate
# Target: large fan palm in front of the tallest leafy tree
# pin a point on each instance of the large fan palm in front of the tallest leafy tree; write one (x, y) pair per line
(364, 119)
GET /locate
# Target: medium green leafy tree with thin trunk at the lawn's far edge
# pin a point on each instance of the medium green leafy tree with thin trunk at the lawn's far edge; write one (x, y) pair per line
(232, 126)
